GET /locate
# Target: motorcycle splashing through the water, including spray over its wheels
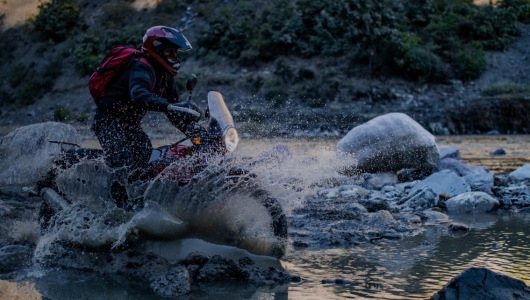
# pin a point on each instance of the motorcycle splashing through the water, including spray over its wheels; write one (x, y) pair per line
(184, 180)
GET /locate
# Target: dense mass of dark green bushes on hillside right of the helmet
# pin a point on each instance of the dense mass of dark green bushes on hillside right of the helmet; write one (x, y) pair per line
(423, 40)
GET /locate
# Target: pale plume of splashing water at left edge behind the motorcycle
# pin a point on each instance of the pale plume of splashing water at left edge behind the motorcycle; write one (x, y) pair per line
(26, 153)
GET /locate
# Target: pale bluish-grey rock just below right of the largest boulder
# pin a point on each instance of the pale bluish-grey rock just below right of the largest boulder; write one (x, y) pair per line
(443, 181)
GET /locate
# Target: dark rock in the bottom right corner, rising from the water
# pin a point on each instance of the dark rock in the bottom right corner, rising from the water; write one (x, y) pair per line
(483, 284)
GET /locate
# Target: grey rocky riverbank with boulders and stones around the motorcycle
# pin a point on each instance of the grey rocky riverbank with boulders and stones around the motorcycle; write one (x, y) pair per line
(396, 199)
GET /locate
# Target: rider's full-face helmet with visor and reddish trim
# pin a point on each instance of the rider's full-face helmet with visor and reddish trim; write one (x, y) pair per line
(162, 43)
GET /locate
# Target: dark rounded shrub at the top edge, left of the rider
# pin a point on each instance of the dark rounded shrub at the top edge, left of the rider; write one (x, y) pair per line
(56, 19)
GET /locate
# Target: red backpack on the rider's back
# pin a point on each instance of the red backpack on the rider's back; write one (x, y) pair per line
(112, 64)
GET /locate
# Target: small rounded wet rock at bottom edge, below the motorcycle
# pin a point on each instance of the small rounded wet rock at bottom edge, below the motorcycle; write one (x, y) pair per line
(173, 283)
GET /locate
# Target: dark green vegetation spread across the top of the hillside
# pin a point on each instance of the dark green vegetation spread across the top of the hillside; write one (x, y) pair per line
(419, 40)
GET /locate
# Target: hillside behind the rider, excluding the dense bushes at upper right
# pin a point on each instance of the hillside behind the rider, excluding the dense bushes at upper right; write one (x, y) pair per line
(319, 95)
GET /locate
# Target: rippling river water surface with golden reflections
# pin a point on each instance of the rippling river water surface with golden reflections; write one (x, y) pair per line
(412, 268)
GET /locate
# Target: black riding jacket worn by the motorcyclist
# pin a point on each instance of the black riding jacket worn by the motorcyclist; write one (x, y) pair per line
(141, 87)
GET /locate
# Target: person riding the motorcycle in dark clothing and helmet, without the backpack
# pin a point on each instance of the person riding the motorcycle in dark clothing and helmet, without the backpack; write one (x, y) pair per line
(145, 85)
